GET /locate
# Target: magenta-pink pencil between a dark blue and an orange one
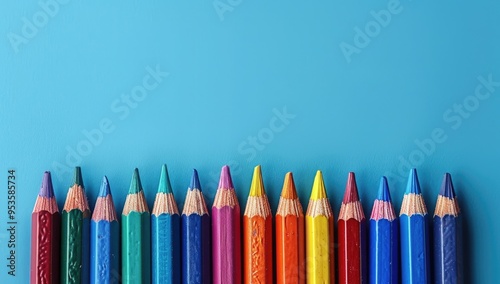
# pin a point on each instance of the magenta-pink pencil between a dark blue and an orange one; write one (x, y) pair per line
(226, 229)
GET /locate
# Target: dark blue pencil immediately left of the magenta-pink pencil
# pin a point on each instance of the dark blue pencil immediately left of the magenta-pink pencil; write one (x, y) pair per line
(195, 236)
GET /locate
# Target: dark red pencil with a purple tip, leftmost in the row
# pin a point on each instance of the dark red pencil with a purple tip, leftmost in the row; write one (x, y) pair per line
(45, 236)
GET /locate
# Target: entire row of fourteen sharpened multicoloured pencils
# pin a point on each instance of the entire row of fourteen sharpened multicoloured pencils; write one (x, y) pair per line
(195, 246)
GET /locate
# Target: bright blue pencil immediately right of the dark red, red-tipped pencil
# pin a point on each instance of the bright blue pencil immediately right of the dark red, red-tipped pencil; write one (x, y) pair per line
(384, 239)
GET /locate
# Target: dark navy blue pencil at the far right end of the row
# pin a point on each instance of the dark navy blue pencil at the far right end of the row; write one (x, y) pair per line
(448, 265)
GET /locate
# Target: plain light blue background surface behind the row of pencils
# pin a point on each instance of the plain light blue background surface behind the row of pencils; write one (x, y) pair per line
(227, 74)
